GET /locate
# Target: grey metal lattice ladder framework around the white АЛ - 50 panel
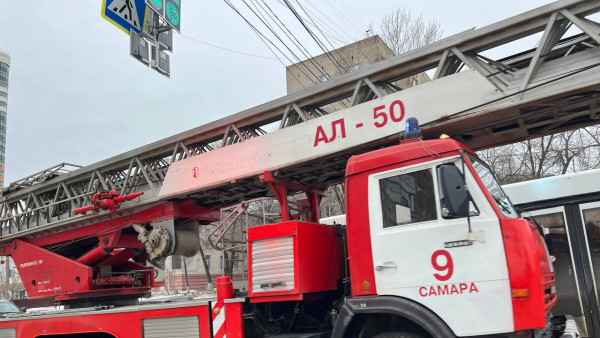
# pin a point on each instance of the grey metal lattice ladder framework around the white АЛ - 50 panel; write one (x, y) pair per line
(548, 88)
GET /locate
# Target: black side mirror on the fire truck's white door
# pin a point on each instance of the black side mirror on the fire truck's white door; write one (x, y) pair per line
(455, 202)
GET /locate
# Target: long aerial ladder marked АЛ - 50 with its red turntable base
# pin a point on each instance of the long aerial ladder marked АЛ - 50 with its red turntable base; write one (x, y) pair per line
(473, 97)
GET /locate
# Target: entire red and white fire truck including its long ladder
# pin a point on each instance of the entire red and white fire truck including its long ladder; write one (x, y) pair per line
(432, 246)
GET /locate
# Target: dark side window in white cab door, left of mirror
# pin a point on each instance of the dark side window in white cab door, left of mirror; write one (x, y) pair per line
(407, 198)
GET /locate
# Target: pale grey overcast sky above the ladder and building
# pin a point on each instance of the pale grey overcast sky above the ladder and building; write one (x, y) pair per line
(77, 96)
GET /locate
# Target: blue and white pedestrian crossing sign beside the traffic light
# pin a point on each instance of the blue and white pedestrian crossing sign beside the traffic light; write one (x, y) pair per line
(125, 14)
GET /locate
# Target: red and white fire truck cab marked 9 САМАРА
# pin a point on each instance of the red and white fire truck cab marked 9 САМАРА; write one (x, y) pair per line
(433, 241)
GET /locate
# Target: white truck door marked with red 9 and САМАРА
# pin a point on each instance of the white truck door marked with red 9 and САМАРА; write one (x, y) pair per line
(466, 285)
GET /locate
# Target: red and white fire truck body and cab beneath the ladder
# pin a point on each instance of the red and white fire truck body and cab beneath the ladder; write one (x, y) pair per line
(431, 242)
